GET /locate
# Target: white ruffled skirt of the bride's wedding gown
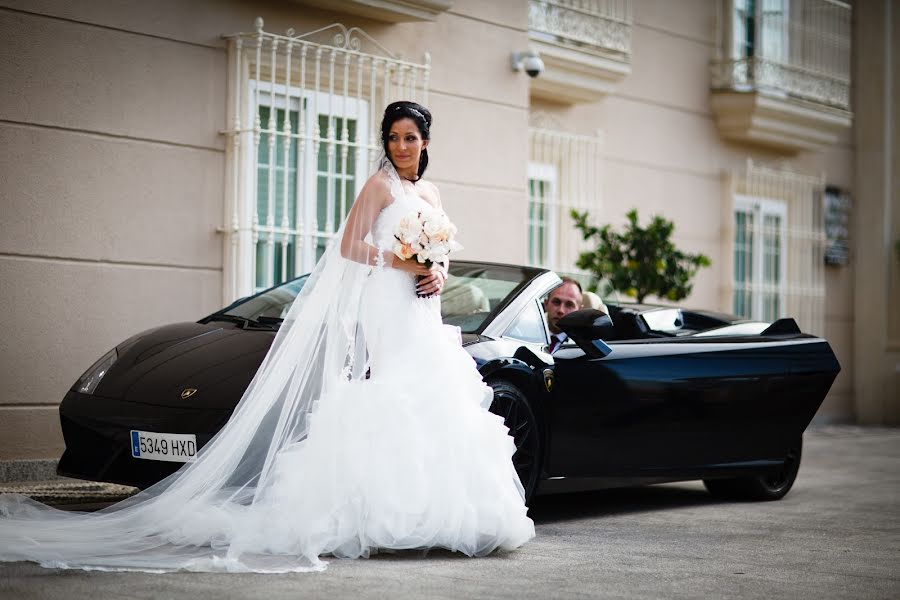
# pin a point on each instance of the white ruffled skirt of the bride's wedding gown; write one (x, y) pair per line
(408, 458)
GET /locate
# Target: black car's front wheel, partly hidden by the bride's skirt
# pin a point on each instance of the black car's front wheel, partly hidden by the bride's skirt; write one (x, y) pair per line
(510, 404)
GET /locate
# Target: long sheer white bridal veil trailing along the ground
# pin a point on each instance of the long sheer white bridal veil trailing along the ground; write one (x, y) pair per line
(204, 516)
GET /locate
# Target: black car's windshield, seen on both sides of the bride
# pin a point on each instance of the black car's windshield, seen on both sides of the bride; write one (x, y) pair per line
(472, 294)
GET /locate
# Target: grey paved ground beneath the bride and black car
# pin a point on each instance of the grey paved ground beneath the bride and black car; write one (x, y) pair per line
(836, 535)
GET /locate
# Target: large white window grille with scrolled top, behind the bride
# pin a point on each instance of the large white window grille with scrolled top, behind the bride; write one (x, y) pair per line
(305, 111)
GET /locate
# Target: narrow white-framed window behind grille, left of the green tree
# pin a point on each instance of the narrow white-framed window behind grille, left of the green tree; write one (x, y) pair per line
(542, 211)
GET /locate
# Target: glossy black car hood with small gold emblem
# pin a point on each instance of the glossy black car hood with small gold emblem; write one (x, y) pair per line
(217, 360)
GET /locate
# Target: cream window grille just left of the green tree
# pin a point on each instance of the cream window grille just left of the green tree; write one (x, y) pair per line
(565, 173)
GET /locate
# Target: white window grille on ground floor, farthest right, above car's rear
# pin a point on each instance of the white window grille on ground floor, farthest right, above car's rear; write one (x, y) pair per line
(775, 242)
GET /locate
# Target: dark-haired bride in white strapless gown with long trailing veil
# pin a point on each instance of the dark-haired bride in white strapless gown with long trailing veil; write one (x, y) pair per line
(365, 428)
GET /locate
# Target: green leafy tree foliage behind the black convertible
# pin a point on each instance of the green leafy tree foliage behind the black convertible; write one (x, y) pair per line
(639, 261)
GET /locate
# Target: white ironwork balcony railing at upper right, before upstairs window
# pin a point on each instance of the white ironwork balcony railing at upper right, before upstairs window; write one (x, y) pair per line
(803, 52)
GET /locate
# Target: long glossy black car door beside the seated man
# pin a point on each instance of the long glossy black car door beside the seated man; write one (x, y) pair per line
(678, 406)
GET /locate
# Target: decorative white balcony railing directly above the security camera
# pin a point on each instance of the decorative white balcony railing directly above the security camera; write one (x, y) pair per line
(596, 26)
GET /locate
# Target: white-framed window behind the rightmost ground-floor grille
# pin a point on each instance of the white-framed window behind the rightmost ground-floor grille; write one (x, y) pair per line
(759, 258)
